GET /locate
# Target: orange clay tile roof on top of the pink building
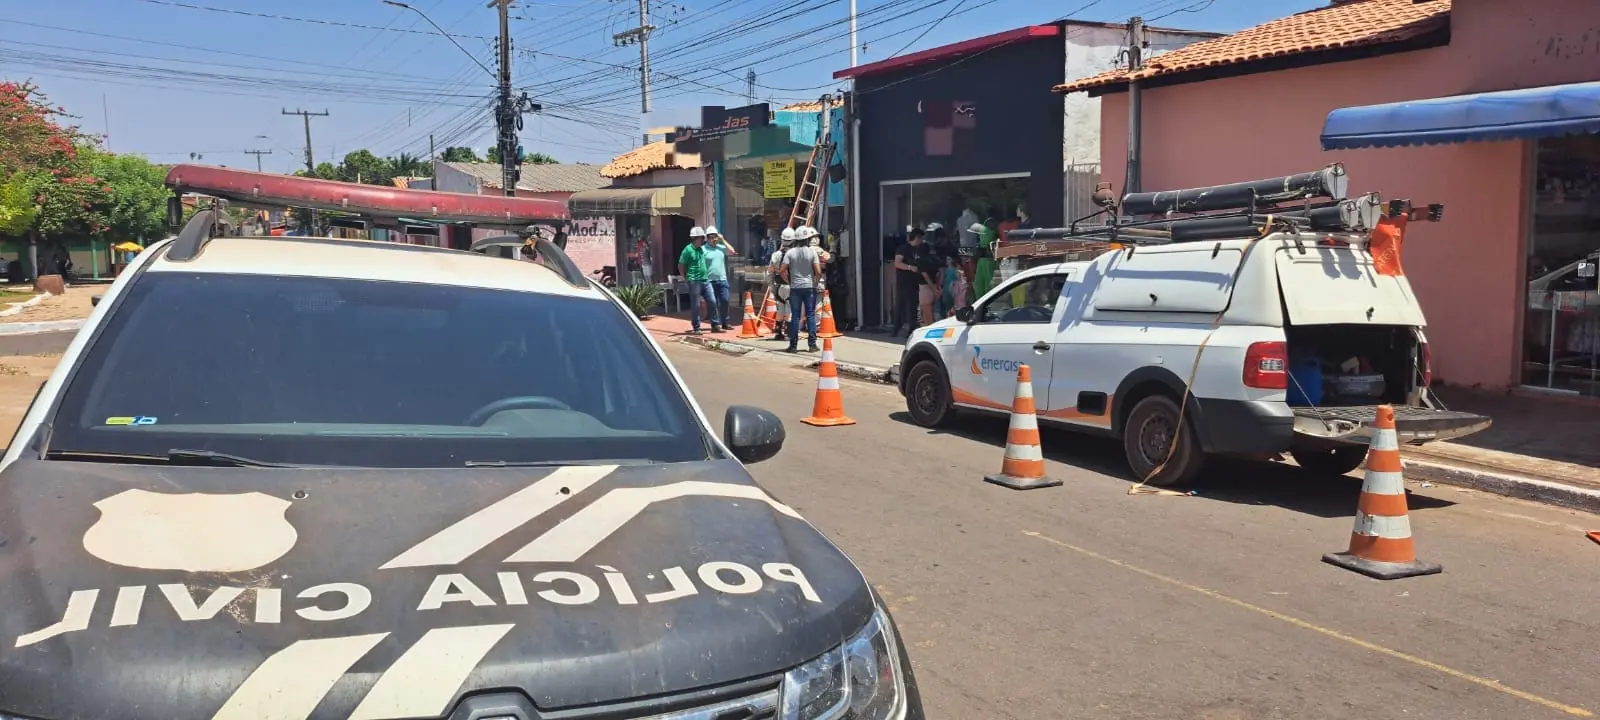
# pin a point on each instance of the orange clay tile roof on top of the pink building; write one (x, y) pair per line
(1348, 25)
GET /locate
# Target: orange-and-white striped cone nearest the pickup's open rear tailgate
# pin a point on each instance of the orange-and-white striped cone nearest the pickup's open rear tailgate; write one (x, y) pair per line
(1382, 542)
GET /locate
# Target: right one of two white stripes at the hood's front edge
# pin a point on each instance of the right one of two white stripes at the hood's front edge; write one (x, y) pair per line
(426, 679)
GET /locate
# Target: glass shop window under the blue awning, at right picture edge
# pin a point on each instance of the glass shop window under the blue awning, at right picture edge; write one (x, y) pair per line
(1562, 322)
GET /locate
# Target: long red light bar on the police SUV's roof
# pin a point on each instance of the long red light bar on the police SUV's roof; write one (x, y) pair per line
(369, 201)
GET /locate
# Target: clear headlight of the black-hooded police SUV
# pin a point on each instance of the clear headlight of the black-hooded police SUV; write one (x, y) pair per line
(858, 681)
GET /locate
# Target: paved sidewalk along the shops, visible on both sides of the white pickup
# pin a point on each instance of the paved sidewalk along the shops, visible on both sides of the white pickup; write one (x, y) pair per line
(1537, 450)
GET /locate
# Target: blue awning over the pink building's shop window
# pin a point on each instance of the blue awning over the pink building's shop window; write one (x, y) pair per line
(1508, 114)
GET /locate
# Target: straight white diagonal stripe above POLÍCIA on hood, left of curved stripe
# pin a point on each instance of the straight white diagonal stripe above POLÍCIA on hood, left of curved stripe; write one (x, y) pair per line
(476, 532)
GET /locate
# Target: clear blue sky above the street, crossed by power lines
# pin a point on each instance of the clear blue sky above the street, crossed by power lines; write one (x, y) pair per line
(212, 76)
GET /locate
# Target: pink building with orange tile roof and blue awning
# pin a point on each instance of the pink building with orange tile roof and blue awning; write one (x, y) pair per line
(1508, 281)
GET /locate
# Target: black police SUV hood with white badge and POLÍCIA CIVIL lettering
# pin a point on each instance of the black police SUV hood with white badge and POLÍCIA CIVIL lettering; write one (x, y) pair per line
(156, 593)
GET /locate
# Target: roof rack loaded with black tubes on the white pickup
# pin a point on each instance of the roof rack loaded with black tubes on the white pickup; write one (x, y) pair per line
(1306, 202)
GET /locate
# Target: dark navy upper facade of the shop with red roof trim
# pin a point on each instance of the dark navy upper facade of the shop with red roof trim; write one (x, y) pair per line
(969, 130)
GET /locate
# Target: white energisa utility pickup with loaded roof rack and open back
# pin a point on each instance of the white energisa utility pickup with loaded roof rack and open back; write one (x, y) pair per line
(1300, 337)
